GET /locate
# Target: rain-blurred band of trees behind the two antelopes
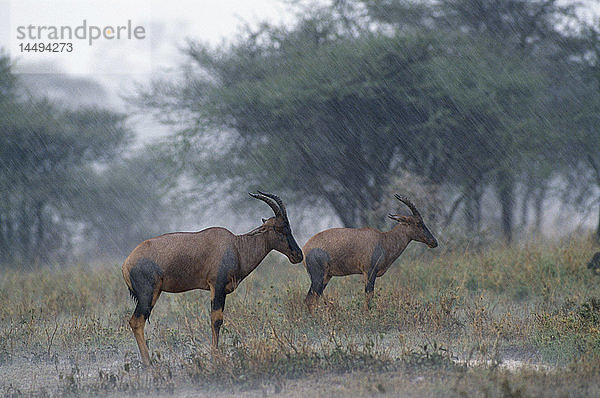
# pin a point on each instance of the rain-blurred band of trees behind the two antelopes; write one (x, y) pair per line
(484, 111)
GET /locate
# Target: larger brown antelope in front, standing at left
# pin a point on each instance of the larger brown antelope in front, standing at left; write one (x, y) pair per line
(213, 259)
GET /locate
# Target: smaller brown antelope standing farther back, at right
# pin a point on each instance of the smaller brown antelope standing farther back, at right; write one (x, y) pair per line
(366, 251)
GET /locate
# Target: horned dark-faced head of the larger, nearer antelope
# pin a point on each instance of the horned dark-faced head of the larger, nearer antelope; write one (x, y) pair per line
(277, 229)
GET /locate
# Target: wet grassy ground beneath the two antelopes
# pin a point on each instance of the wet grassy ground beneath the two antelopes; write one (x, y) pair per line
(441, 324)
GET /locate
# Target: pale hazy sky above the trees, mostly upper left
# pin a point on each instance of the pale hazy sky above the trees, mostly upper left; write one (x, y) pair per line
(119, 64)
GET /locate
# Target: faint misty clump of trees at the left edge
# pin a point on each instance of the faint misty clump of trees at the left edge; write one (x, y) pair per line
(63, 177)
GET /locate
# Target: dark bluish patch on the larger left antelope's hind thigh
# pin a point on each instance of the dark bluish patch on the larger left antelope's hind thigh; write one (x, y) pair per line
(144, 276)
